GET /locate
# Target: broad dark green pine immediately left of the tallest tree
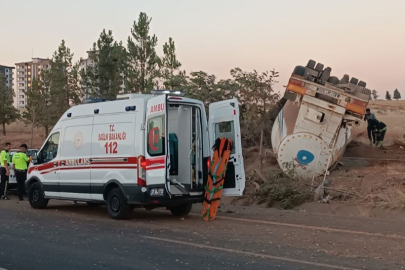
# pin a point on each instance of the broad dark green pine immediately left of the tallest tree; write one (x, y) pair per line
(104, 78)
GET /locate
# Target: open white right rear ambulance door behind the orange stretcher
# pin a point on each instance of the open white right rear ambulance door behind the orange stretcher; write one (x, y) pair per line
(224, 123)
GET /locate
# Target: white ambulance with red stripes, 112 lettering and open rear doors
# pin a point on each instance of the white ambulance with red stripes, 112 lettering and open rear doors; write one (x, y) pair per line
(137, 151)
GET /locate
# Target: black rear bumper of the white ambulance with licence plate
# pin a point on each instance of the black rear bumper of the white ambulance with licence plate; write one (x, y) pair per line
(142, 196)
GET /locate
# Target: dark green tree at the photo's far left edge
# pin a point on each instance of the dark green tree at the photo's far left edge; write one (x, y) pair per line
(8, 113)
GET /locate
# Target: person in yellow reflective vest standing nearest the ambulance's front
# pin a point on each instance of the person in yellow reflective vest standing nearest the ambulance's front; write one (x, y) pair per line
(20, 166)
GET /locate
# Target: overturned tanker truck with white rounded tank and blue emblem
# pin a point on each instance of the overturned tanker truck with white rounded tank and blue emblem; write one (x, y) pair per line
(313, 128)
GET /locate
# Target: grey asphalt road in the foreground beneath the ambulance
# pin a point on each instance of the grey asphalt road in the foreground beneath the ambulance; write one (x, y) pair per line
(77, 236)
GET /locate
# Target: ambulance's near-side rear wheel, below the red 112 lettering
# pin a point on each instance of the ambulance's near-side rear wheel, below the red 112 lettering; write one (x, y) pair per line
(117, 207)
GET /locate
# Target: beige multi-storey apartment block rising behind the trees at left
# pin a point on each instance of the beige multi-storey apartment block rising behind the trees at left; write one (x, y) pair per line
(26, 72)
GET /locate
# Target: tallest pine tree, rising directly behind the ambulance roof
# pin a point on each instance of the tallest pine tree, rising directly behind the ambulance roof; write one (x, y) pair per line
(143, 61)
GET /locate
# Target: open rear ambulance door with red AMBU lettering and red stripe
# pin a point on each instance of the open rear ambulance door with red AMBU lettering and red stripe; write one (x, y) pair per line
(156, 142)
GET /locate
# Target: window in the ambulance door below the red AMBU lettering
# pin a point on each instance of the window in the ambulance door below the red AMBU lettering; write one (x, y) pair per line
(156, 136)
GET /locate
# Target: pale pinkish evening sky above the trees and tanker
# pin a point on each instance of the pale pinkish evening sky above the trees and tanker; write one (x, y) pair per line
(362, 38)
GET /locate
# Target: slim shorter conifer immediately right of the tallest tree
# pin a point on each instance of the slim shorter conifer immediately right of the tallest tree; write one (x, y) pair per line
(170, 73)
